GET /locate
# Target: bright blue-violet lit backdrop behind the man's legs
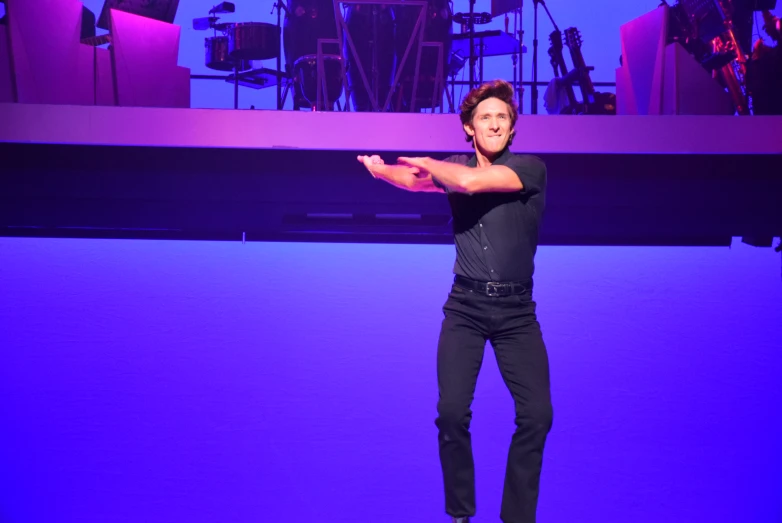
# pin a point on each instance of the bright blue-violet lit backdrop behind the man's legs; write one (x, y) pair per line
(155, 381)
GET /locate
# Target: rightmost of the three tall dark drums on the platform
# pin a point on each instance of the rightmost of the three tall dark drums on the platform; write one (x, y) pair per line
(438, 28)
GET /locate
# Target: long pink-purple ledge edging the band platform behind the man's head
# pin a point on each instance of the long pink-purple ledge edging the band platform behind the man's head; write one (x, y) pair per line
(377, 132)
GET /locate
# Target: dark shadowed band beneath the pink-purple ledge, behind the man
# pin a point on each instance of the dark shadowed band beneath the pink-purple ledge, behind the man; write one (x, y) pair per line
(286, 195)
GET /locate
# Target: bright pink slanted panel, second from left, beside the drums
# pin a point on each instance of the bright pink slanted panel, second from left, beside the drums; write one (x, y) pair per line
(145, 61)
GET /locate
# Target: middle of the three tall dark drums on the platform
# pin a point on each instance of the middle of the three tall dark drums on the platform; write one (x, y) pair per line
(371, 28)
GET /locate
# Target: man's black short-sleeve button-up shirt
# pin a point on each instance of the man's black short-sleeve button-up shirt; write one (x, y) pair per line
(496, 233)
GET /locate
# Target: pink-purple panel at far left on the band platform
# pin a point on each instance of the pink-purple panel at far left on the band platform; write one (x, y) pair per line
(46, 52)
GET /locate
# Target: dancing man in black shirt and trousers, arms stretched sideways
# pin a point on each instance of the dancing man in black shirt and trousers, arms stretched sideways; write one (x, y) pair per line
(497, 199)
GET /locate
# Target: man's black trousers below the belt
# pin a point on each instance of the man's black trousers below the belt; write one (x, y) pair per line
(510, 324)
